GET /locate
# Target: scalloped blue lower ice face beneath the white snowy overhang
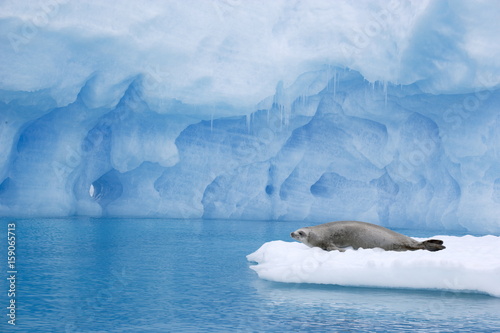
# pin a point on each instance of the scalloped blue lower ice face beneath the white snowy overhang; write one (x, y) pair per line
(354, 150)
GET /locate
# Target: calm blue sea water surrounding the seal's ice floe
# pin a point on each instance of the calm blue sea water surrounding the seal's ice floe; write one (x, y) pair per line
(143, 275)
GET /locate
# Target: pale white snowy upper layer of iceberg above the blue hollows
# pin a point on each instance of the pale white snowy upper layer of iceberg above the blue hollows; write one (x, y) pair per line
(236, 51)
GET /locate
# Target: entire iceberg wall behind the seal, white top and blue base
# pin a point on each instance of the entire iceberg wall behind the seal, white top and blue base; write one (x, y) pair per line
(385, 112)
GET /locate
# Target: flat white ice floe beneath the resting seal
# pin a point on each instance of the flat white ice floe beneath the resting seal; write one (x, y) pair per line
(468, 264)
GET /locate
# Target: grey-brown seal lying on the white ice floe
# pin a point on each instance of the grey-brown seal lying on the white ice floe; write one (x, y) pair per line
(343, 234)
